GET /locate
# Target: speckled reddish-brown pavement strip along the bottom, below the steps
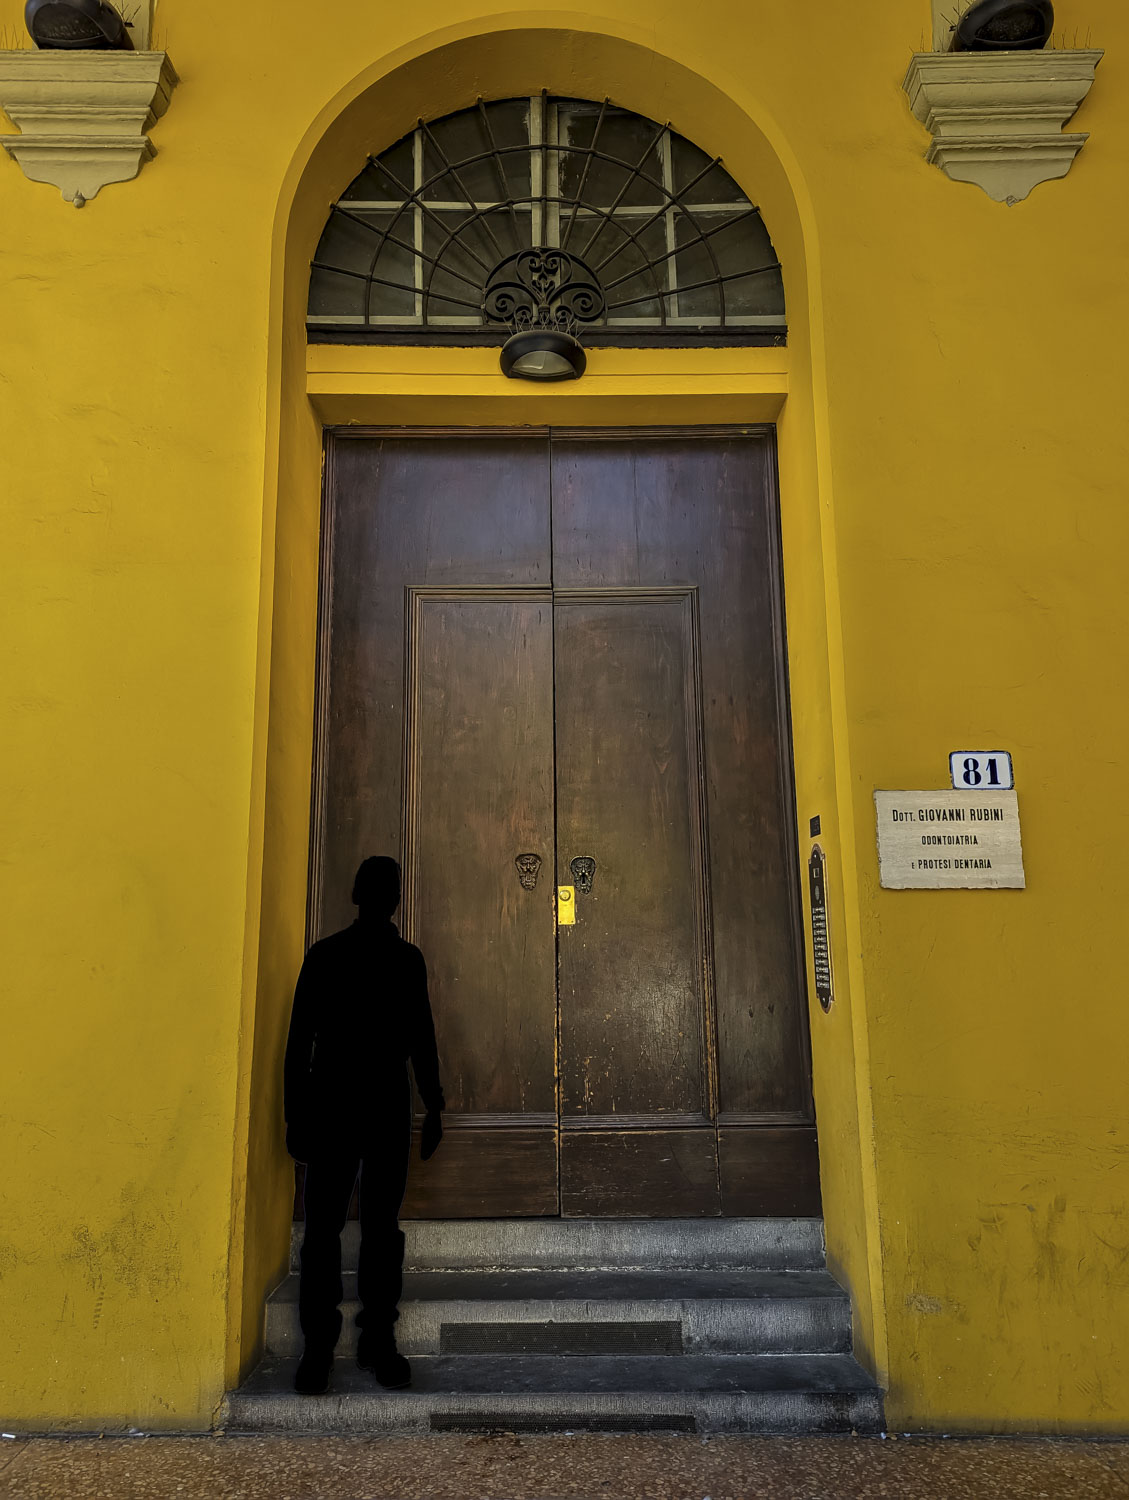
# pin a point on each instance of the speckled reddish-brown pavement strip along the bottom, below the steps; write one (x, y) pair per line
(503, 1468)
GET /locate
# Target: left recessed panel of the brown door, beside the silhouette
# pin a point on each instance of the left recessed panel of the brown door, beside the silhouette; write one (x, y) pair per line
(481, 794)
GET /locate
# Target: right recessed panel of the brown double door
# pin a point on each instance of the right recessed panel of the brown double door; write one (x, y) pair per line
(633, 973)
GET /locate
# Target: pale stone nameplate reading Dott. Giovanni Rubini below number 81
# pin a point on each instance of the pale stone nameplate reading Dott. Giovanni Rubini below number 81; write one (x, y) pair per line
(950, 841)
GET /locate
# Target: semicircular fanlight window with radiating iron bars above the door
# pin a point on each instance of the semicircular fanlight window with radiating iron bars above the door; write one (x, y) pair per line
(666, 236)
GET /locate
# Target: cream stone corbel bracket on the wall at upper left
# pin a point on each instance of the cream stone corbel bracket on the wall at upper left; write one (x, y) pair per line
(83, 115)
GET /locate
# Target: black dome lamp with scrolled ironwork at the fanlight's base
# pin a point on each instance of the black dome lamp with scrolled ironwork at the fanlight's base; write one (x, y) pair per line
(544, 295)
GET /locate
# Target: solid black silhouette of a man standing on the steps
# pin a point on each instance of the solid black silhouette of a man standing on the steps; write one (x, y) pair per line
(361, 1013)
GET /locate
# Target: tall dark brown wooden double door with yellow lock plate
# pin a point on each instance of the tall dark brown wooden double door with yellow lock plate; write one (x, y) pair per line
(556, 661)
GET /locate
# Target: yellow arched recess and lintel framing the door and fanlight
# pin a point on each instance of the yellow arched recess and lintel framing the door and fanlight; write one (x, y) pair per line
(455, 389)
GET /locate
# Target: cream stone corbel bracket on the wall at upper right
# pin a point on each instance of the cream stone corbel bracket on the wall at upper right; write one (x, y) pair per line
(998, 118)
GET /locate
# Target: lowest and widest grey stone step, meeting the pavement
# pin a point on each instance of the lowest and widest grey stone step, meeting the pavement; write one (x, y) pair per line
(615, 1394)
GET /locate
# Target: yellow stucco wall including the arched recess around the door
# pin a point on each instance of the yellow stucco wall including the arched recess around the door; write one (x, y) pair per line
(953, 464)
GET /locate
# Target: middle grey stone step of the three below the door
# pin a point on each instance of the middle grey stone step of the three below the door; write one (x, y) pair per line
(599, 1312)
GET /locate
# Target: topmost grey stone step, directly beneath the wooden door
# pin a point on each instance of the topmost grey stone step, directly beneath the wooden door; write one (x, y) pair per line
(713, 1244)
